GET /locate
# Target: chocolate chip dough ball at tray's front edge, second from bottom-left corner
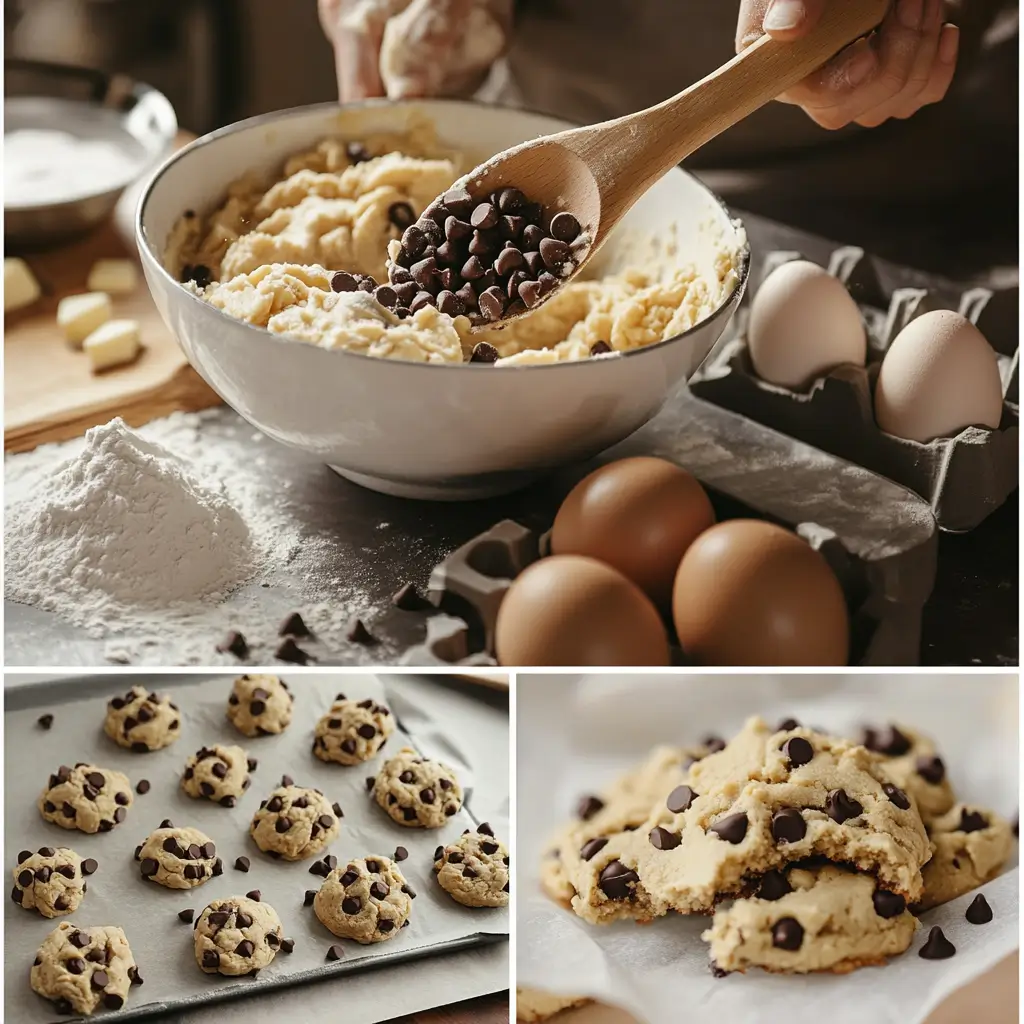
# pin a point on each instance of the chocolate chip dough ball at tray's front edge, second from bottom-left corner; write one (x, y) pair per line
(238, 935)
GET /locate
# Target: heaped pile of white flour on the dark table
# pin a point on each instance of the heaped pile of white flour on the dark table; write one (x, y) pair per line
(123, 524)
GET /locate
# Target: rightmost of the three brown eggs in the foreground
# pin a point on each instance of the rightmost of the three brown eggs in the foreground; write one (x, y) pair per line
(752, 593)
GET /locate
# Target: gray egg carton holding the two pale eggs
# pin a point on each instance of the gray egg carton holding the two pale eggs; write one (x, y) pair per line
(964, 479)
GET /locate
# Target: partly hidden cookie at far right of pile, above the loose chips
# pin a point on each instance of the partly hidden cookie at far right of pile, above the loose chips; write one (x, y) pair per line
(972, 844)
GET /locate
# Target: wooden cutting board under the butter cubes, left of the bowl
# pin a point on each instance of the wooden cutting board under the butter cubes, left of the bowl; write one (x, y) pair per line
(51, 394)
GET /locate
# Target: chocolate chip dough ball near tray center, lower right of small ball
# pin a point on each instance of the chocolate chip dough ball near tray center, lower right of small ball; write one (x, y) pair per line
(294, 823)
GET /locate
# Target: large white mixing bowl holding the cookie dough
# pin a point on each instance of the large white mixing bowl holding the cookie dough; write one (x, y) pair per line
(407, 429)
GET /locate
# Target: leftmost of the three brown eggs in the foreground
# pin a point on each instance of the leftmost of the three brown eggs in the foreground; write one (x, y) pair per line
(572, 611)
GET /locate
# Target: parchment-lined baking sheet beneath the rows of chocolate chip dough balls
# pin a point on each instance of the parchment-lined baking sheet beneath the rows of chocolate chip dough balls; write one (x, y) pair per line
(161, 944)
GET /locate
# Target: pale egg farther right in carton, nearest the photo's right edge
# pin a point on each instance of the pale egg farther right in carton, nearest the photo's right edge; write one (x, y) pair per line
(940, 376)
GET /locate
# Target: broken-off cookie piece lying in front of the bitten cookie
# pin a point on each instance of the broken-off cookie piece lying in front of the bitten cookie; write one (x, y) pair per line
(825, 919)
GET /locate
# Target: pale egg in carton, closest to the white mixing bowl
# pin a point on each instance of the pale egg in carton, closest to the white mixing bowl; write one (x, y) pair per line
(803, 325)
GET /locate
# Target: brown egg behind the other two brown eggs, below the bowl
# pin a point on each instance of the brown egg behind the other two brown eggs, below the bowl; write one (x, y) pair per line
(639, 517)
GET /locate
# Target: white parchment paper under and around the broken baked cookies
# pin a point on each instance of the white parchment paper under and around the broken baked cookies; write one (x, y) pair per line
(575, 735)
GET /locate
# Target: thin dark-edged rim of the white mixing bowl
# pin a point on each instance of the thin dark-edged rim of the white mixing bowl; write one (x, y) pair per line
(149, 253)
